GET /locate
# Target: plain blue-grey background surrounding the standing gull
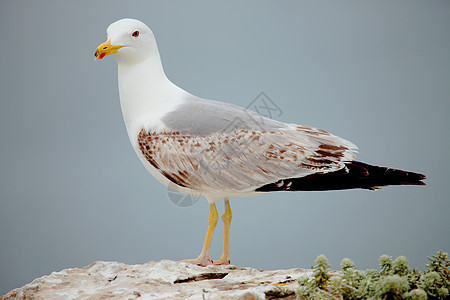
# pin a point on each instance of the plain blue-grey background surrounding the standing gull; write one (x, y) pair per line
(72, 190)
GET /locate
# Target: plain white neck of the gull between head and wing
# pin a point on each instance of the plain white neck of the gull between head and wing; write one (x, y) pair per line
(146, 94)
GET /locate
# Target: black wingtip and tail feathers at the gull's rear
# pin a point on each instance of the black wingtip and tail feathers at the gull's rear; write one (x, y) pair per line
(355, 175)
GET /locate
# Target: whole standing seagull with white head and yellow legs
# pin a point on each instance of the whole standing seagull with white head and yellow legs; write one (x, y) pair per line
(219, 150)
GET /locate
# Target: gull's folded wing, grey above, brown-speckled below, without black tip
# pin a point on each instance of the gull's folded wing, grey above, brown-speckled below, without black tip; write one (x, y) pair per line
(223, 148)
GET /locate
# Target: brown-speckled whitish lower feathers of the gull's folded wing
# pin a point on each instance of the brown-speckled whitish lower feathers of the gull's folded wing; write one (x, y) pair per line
(242, 160)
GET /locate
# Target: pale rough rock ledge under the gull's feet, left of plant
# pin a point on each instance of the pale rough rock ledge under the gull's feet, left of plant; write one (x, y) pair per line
(161, 280)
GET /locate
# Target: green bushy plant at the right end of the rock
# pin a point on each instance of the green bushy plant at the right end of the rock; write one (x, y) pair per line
(394, 280)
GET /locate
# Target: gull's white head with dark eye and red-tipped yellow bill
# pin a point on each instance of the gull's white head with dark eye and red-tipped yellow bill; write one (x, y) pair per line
(129, 40)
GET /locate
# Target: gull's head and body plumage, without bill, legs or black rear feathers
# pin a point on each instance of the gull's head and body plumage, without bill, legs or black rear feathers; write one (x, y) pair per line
(217, 161)
